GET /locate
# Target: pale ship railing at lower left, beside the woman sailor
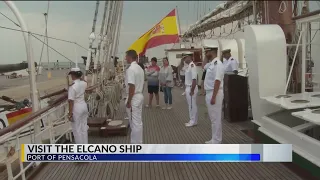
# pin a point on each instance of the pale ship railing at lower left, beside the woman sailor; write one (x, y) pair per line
(54, 126)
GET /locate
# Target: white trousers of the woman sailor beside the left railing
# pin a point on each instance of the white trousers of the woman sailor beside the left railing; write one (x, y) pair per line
(79, 124)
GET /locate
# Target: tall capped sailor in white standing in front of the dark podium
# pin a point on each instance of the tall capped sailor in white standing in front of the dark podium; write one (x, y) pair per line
(213, 85)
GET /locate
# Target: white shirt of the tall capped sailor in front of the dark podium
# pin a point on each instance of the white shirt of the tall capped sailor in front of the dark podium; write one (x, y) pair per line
(215, 71)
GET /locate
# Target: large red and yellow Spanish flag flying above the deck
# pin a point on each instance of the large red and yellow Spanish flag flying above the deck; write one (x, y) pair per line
(164, 32)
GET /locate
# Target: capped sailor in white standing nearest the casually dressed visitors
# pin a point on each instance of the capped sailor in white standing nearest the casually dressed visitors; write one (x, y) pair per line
(191, 90)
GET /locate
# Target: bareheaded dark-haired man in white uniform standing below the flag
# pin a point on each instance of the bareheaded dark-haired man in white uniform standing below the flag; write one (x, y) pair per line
(134, 101)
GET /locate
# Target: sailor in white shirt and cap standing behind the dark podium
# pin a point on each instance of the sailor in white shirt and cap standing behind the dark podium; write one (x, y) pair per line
(231, 64)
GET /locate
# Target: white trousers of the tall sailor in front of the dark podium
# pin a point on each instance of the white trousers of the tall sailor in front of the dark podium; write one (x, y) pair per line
(214, 112)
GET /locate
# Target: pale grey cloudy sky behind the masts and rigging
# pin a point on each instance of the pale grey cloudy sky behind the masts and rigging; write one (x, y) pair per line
(72, 20)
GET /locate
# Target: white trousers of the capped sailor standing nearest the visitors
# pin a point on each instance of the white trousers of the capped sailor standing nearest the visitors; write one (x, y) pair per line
(192, 103)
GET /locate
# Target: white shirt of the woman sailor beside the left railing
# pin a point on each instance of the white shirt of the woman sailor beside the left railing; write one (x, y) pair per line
(77, 90)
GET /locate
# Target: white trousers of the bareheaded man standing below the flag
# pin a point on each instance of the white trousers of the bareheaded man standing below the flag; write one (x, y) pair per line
(135, 118)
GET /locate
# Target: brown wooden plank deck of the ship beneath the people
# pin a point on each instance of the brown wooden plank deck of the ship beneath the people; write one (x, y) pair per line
(167, 127)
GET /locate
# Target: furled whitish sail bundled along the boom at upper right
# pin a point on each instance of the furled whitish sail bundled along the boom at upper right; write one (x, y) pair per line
(235, 14)
